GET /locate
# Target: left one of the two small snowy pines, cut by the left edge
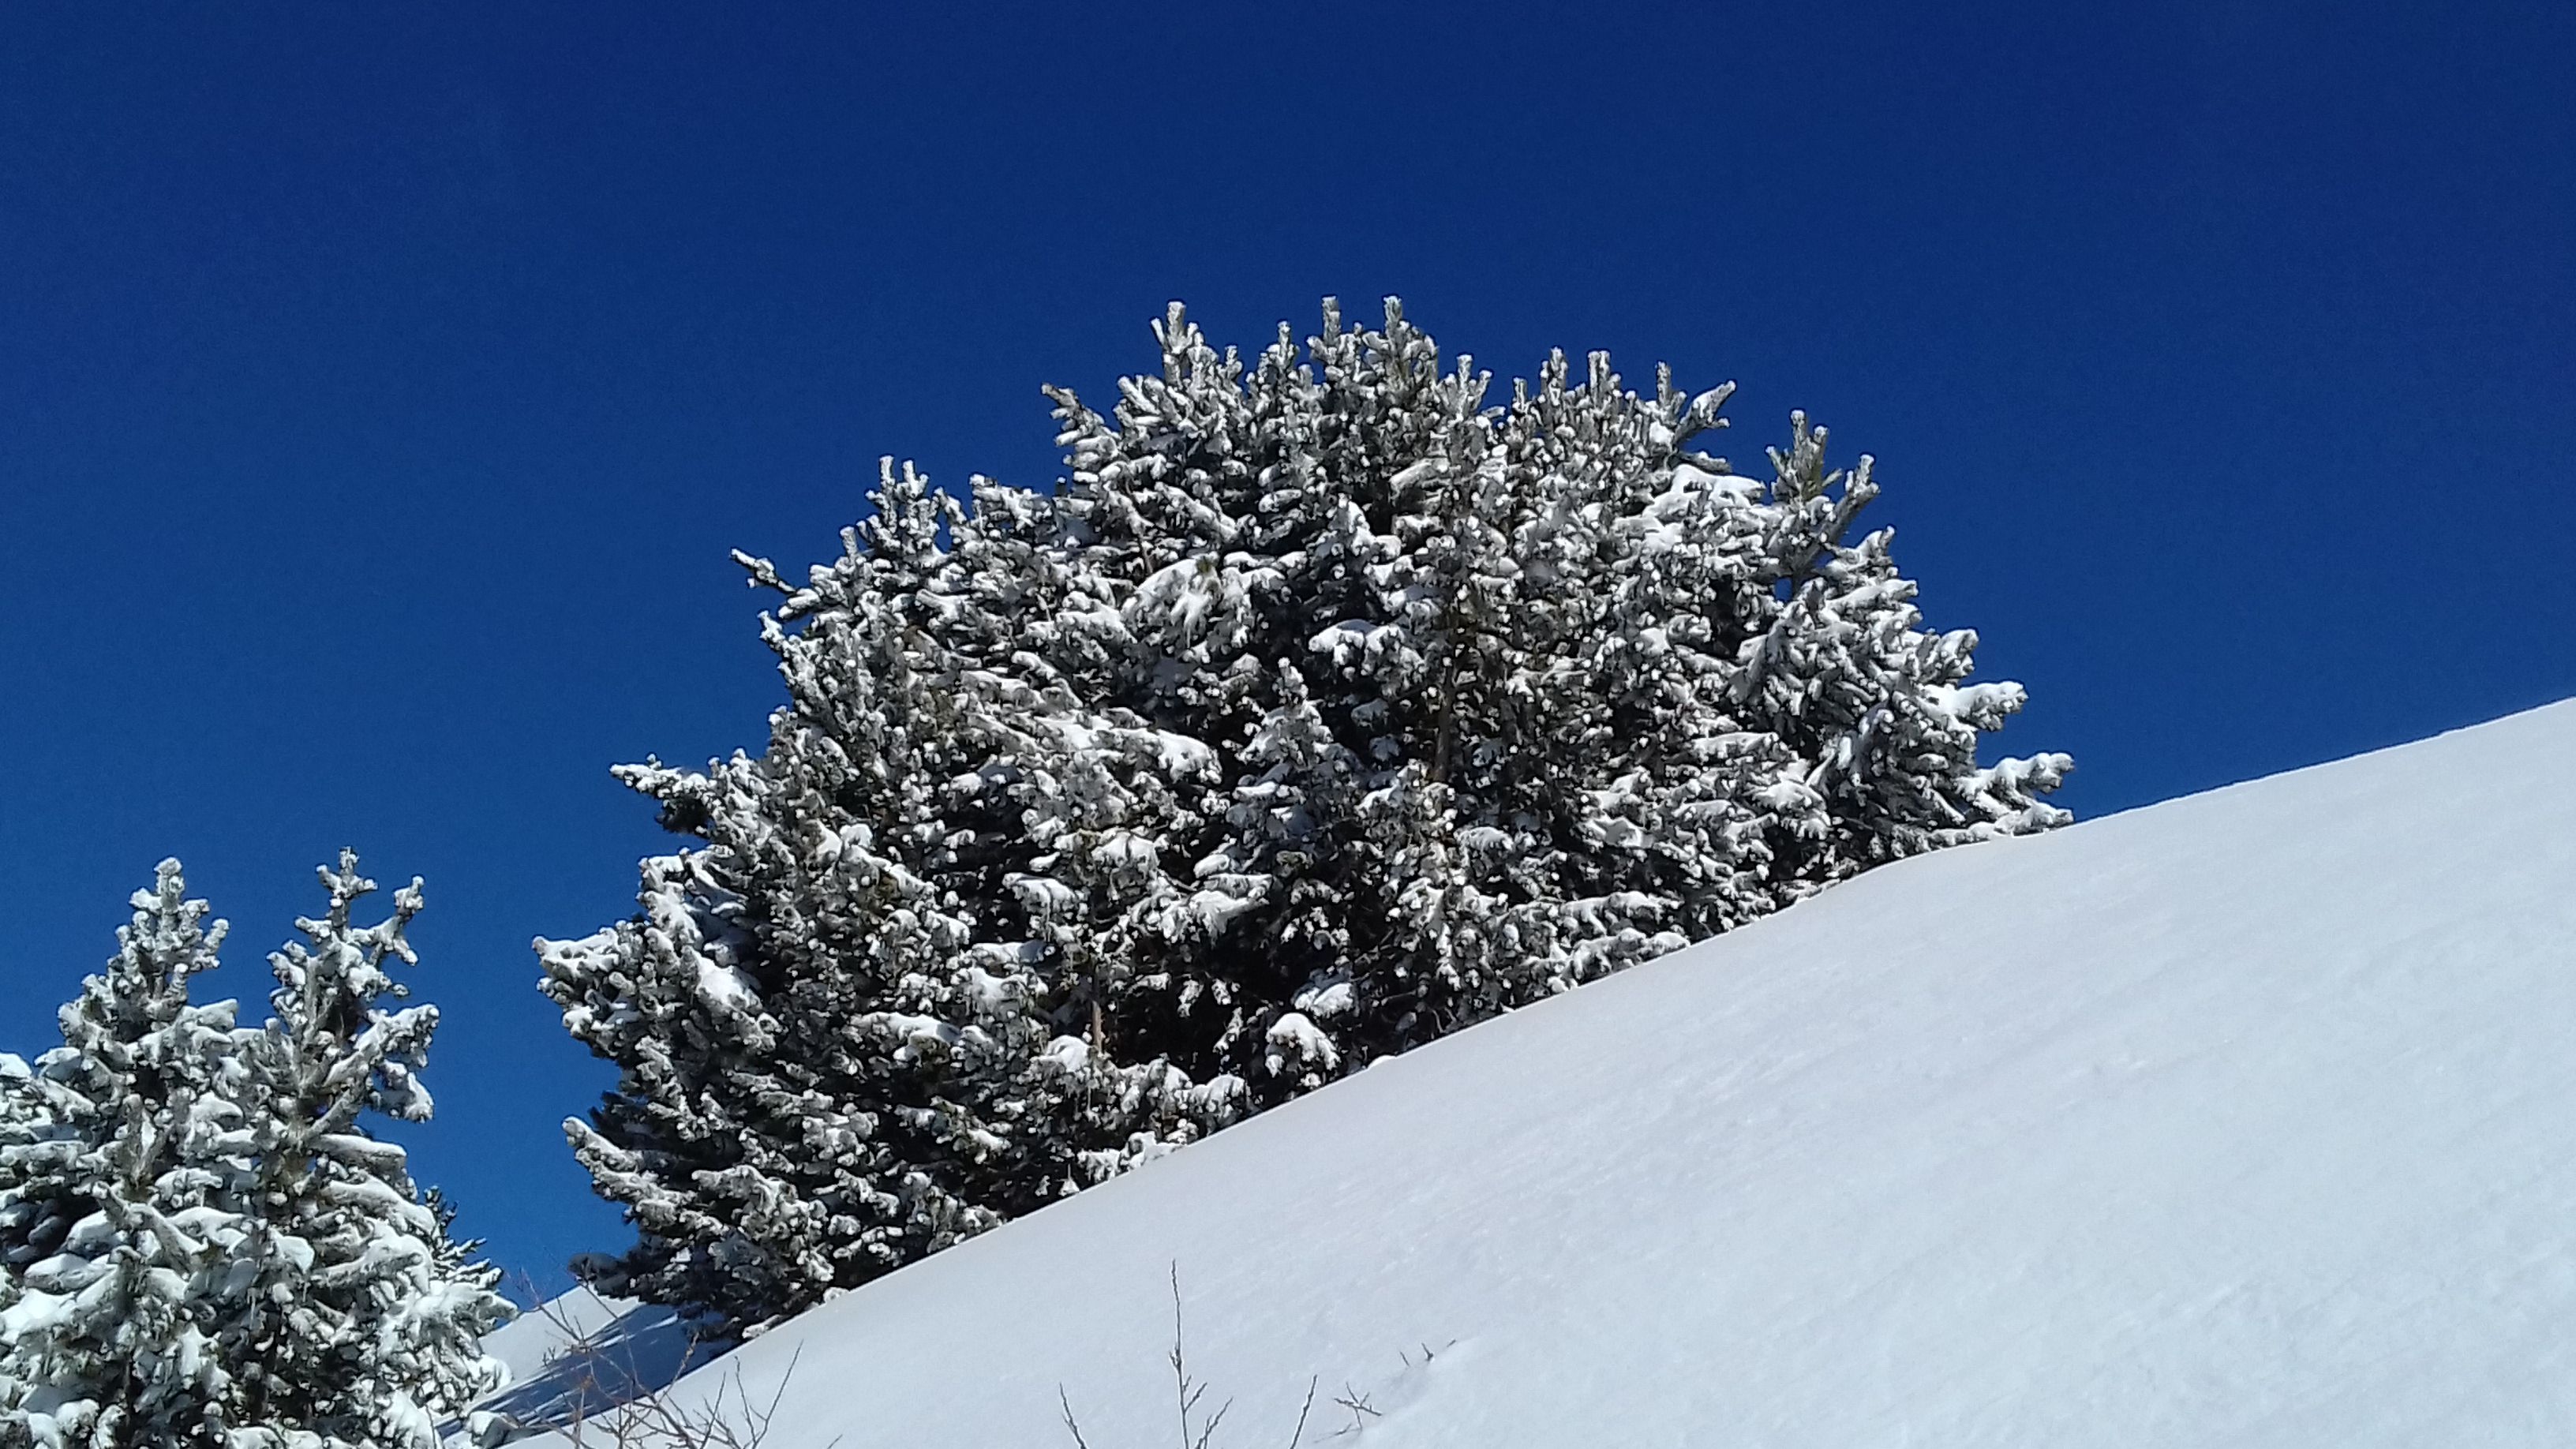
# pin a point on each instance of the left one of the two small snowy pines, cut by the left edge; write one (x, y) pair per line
(109, 1200)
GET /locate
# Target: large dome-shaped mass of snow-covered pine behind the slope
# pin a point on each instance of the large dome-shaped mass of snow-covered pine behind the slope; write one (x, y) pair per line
(1325, 708)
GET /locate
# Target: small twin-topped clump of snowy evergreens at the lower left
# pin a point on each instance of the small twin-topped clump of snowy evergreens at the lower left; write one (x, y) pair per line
(202, 1244)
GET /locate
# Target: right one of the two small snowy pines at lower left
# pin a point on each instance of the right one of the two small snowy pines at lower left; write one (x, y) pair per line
(346, 1314)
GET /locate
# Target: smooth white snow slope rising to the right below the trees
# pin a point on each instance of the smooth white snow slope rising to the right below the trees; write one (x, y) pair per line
(2237, 1120)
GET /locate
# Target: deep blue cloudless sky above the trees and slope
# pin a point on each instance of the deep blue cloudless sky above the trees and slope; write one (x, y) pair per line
(383, 388)
